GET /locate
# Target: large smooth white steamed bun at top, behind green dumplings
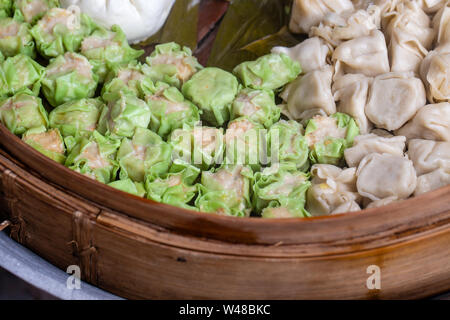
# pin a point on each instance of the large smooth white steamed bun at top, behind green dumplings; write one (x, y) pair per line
(139, 19)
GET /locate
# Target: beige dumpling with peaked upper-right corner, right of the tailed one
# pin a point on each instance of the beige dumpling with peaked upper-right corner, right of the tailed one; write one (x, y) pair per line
(365, 55)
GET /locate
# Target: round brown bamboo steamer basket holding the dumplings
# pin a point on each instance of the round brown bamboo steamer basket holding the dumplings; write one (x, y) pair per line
(140, 249)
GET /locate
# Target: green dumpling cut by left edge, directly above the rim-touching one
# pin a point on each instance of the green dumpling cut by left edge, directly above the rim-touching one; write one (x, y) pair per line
(19, 73)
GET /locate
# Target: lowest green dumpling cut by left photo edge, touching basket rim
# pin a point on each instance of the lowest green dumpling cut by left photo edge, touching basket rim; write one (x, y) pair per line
(22, 112)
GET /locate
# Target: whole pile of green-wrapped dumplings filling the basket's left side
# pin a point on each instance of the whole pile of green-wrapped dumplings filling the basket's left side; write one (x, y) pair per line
(169, 129)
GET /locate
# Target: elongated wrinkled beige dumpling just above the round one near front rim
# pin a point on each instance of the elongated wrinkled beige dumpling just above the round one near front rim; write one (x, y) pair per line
(364, 145)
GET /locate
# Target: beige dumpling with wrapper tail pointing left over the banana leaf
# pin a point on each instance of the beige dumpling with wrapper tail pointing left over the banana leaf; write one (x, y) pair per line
(312, 54)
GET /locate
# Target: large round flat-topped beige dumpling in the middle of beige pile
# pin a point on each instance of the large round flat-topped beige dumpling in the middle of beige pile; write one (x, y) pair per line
(394, 98)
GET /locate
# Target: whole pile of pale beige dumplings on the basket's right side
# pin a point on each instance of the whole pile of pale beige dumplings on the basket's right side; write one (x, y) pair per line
(387, 64)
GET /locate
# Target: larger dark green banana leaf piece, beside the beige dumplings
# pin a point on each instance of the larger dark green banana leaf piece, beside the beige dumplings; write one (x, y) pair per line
(250, 29)
